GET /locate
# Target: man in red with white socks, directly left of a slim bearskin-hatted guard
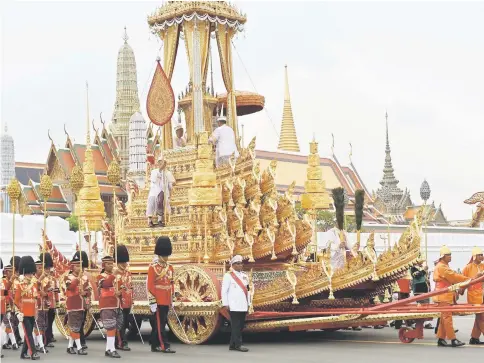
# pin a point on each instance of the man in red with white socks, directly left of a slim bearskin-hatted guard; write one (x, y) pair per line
(109, 295)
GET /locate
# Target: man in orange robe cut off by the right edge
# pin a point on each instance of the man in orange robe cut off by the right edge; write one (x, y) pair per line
(474, 292)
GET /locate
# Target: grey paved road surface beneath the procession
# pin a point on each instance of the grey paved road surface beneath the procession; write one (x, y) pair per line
(366, 346)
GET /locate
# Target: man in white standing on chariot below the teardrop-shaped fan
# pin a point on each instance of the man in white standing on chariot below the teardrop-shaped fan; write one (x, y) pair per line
(162, 182)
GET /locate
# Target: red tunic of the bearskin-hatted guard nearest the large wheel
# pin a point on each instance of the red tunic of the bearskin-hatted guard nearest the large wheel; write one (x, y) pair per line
(160, 283)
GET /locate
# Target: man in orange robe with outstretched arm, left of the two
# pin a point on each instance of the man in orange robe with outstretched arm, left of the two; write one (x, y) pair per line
(445, 277)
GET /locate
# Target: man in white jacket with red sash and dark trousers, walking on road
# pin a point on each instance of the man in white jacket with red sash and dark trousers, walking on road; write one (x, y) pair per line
(236, 299)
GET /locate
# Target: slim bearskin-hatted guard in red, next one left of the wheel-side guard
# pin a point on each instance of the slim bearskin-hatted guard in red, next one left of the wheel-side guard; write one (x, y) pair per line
(125, 285)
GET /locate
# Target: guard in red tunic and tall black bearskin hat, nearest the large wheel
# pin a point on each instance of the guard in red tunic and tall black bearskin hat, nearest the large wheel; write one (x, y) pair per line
(160, 291)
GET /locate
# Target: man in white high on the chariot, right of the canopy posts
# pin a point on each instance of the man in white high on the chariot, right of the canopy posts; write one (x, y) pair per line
(223, 137)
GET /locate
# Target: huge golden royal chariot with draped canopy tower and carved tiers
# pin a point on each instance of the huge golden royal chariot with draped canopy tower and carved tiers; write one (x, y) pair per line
(235, 209)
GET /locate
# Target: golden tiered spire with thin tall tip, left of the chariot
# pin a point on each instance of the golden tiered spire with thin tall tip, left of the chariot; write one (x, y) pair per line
(91, 207)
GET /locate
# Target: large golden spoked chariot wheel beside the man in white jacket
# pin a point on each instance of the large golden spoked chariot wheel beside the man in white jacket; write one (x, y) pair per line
(194, 325)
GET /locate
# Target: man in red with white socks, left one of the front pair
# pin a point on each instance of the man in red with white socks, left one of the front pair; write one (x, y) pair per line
(75, 294)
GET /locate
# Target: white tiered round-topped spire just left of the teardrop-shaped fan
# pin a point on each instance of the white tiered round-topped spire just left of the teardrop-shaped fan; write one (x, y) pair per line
(137, 149)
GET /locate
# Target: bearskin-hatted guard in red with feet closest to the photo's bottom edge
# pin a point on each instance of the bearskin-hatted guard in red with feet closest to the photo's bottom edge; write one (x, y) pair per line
(26, 303)
